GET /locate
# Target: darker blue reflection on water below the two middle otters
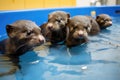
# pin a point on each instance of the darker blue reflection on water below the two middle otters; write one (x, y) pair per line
(62, 56)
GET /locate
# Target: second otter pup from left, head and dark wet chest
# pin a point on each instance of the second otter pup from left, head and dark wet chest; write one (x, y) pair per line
(55, 29)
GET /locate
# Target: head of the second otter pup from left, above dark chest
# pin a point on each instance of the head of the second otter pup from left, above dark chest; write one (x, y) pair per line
(57, 20)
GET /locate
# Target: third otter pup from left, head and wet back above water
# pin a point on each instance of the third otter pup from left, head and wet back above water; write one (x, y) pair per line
(87, 24)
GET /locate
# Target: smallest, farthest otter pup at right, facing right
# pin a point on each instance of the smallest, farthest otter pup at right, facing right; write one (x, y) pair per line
(104, 21)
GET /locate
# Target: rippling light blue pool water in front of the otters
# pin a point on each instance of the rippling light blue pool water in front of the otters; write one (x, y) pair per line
(99, 59)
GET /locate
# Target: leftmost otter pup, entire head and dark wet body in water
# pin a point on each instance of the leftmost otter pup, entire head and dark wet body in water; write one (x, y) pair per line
(23, 35)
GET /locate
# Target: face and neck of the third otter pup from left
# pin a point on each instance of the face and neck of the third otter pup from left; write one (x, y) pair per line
(77, 34)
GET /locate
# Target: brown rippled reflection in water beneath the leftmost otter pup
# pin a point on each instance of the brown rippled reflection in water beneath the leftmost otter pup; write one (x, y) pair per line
(11, 62)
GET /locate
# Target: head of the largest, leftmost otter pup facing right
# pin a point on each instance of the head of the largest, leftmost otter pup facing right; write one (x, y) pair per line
(24, 33)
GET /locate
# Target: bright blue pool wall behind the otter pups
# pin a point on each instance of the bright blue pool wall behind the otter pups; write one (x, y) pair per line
(40, 15)
